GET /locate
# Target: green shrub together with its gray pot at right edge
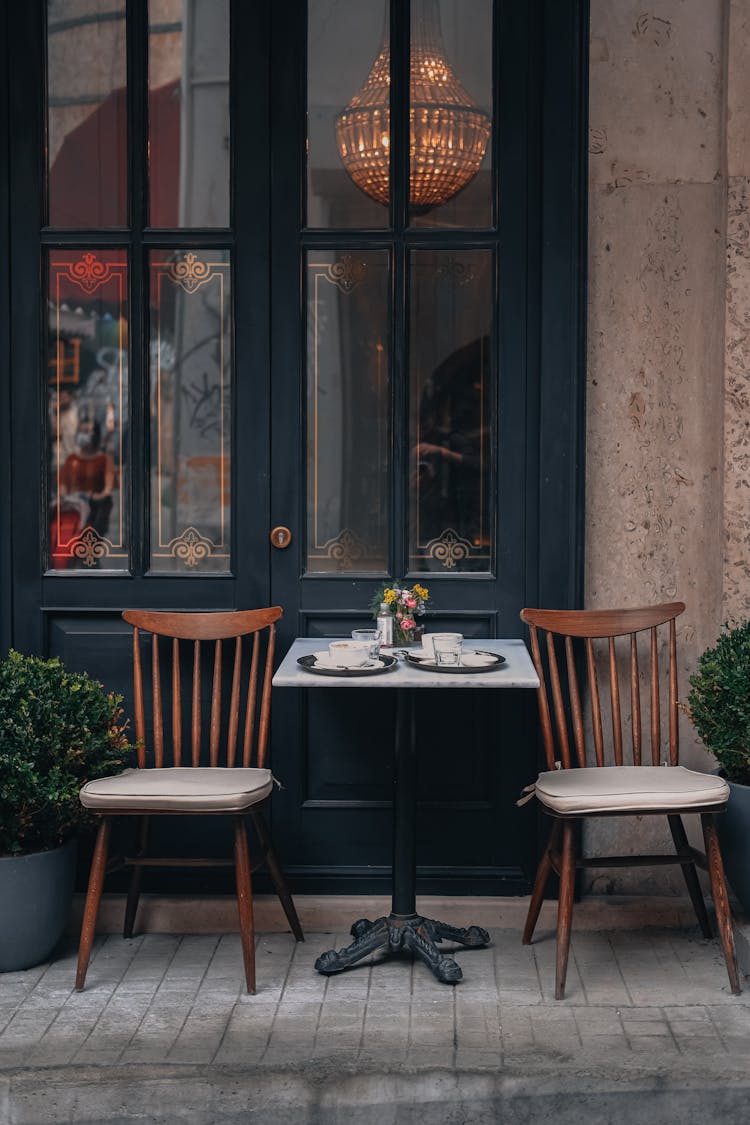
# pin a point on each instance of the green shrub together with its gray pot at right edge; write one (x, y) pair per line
(719, 707)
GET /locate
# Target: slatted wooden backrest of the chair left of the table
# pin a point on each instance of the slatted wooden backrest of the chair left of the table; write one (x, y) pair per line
(201, 629)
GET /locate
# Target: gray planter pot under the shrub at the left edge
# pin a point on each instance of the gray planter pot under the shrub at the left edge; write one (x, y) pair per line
(37, 893)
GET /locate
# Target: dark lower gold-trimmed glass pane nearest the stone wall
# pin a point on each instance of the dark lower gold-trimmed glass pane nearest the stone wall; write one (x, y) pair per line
(451, 430)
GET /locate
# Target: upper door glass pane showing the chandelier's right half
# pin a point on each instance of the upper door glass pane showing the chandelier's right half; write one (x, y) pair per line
(450, 113)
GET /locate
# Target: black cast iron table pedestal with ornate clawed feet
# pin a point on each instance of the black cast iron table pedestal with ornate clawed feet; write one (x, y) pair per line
(404, 931)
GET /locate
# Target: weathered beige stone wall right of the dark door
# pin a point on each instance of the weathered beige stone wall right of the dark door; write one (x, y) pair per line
(668, 440)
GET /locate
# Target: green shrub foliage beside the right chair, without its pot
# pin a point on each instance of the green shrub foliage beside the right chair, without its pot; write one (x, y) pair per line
(719, 701)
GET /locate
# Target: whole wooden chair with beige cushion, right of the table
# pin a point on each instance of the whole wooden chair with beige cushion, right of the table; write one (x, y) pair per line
(572, 790)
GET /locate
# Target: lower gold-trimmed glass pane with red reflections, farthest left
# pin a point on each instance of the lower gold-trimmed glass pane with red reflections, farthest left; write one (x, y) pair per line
(88, 411)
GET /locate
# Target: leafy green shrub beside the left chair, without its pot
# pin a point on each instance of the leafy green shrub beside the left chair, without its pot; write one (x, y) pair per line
(58, 730)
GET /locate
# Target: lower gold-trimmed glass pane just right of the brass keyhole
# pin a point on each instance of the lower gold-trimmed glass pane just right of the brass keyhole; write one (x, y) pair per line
(348, 411)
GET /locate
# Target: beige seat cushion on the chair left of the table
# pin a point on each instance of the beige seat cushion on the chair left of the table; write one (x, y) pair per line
(175, 789)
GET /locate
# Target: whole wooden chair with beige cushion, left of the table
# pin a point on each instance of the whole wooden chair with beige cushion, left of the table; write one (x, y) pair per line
(187, 787)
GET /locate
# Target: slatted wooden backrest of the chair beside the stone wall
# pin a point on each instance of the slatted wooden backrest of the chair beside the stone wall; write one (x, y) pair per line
(573, 634)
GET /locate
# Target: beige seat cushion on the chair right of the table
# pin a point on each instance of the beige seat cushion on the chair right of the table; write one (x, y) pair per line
(629, 789)
